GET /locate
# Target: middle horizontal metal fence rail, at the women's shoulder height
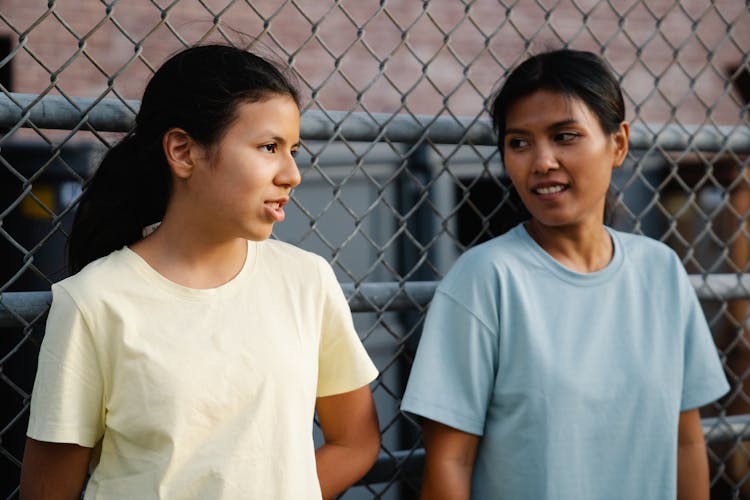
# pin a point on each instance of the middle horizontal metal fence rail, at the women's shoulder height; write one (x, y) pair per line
(19, 308)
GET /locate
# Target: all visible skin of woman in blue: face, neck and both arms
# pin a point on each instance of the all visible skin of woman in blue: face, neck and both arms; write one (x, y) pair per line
(561, 163)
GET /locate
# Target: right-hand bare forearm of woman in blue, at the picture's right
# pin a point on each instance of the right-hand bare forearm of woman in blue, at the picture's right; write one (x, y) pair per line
(692, 463)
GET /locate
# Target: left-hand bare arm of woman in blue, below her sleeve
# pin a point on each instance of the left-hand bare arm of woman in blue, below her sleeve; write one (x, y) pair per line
(448, 463)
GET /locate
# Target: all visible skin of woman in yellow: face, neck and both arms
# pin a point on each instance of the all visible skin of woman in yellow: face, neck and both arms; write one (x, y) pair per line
(222, 197)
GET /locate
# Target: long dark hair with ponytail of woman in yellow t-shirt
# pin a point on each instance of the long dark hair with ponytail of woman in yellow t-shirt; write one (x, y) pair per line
(197, 90)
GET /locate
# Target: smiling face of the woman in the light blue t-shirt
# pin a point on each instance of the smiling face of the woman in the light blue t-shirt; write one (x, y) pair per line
(560, 160)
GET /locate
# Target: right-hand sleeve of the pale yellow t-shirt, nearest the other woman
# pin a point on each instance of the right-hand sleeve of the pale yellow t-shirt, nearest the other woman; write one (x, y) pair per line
(343, 363)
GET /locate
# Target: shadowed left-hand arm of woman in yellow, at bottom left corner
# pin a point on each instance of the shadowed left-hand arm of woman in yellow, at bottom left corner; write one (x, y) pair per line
(53, 471)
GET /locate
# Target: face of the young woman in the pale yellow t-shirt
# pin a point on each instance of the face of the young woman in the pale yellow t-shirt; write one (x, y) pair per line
(239, 187)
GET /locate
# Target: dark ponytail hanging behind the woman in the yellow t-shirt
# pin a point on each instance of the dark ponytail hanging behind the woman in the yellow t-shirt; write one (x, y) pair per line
(126, 193)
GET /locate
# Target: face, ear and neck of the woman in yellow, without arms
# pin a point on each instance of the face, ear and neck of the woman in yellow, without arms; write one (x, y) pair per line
(224, 195)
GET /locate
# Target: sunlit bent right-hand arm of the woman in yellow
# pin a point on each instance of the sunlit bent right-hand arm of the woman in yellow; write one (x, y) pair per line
(352, 439)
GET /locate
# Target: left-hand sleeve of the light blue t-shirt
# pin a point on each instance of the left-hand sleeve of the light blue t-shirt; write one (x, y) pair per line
(453, 374)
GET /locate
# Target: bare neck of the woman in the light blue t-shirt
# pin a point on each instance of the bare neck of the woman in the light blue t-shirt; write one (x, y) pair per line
(580, 249)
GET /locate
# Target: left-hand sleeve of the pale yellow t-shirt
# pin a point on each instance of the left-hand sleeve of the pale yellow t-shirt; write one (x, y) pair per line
(67, 398)
